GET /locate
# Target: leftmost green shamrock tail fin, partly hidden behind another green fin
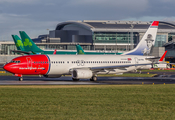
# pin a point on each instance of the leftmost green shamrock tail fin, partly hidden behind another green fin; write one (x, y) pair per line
(18, 43)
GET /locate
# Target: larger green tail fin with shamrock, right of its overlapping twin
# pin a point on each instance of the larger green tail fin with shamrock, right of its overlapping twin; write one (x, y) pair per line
(29, 45)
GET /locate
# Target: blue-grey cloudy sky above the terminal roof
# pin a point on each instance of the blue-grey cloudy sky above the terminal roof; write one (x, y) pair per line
(36, 16)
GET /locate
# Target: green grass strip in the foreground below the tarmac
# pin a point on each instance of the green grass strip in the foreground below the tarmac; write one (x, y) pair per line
(88, 102)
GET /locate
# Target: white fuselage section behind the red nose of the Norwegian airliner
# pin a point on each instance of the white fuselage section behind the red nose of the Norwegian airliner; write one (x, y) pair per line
(64, 64)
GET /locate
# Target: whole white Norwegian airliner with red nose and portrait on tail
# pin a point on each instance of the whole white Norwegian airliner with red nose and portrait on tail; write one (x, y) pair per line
(85, 66)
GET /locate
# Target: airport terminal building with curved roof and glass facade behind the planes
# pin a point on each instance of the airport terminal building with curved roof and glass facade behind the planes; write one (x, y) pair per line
(111, 36)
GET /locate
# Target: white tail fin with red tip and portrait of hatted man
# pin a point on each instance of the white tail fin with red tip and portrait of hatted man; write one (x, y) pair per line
(147, 42)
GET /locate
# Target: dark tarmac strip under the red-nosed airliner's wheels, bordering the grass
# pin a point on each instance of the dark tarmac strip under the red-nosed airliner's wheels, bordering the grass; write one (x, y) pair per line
(35, 80)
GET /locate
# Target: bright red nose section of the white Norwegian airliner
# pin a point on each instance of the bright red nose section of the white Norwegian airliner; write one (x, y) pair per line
(29, 65)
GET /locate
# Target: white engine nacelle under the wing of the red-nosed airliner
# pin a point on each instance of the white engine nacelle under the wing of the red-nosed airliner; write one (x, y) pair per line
(82, 74)
